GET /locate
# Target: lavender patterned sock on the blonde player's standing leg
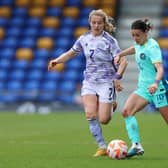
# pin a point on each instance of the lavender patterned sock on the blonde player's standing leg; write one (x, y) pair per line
(96, 131)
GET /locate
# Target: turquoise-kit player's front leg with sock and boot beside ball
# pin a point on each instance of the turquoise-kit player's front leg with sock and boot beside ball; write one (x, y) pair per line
(133, 104)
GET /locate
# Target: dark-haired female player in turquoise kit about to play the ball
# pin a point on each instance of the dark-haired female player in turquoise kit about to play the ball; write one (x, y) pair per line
(151, 86)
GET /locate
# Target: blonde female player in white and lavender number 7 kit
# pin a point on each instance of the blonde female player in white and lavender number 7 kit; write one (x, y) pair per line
(98, 91)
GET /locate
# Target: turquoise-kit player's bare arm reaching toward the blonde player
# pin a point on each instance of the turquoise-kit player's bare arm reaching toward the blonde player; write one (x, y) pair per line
(128, 51)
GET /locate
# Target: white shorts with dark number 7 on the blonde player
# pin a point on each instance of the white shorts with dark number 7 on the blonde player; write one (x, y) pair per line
(105, 92)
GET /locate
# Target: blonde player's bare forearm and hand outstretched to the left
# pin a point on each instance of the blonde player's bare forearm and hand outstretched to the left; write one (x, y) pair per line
(62, 58)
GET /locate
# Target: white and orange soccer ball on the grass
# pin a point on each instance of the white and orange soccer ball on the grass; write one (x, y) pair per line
(117, 149)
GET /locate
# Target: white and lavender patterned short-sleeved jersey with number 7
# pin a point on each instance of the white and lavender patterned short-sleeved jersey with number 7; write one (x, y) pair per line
(99, 52)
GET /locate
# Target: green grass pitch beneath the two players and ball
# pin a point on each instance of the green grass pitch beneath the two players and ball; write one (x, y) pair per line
(63, 140)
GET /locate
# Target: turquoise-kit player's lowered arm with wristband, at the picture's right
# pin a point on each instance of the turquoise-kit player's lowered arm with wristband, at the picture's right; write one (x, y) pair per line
(159, 75)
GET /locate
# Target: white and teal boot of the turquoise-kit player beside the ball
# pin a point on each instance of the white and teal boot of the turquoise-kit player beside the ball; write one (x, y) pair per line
(136, 149)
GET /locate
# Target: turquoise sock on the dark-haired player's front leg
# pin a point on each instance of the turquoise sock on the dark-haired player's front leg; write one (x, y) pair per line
(132, 129)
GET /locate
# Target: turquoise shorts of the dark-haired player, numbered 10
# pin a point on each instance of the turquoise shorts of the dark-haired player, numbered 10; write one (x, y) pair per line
(160, 98)
